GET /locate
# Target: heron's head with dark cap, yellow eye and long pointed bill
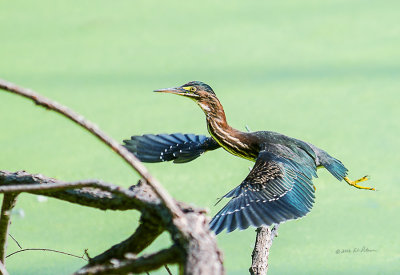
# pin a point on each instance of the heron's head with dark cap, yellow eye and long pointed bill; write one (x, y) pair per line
(195, 90)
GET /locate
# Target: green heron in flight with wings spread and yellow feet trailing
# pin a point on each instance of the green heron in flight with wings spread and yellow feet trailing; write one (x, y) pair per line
(278, 188)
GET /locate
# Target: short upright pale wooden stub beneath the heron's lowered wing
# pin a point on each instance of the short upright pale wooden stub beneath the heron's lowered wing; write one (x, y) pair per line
(264, 238)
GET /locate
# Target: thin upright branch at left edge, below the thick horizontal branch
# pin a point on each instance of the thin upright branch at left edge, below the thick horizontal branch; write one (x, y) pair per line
(9, 201)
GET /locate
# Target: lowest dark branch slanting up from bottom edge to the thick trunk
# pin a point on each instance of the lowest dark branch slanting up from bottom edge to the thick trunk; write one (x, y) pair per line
(172, 255)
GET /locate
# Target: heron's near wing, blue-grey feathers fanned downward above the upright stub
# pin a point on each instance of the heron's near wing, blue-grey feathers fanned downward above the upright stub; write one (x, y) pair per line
(277, 189)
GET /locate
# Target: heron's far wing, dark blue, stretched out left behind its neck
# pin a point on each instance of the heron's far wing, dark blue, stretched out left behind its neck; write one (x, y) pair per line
(177, 147)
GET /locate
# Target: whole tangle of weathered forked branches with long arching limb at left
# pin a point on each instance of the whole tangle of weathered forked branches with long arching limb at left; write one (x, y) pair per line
(188, 227)
